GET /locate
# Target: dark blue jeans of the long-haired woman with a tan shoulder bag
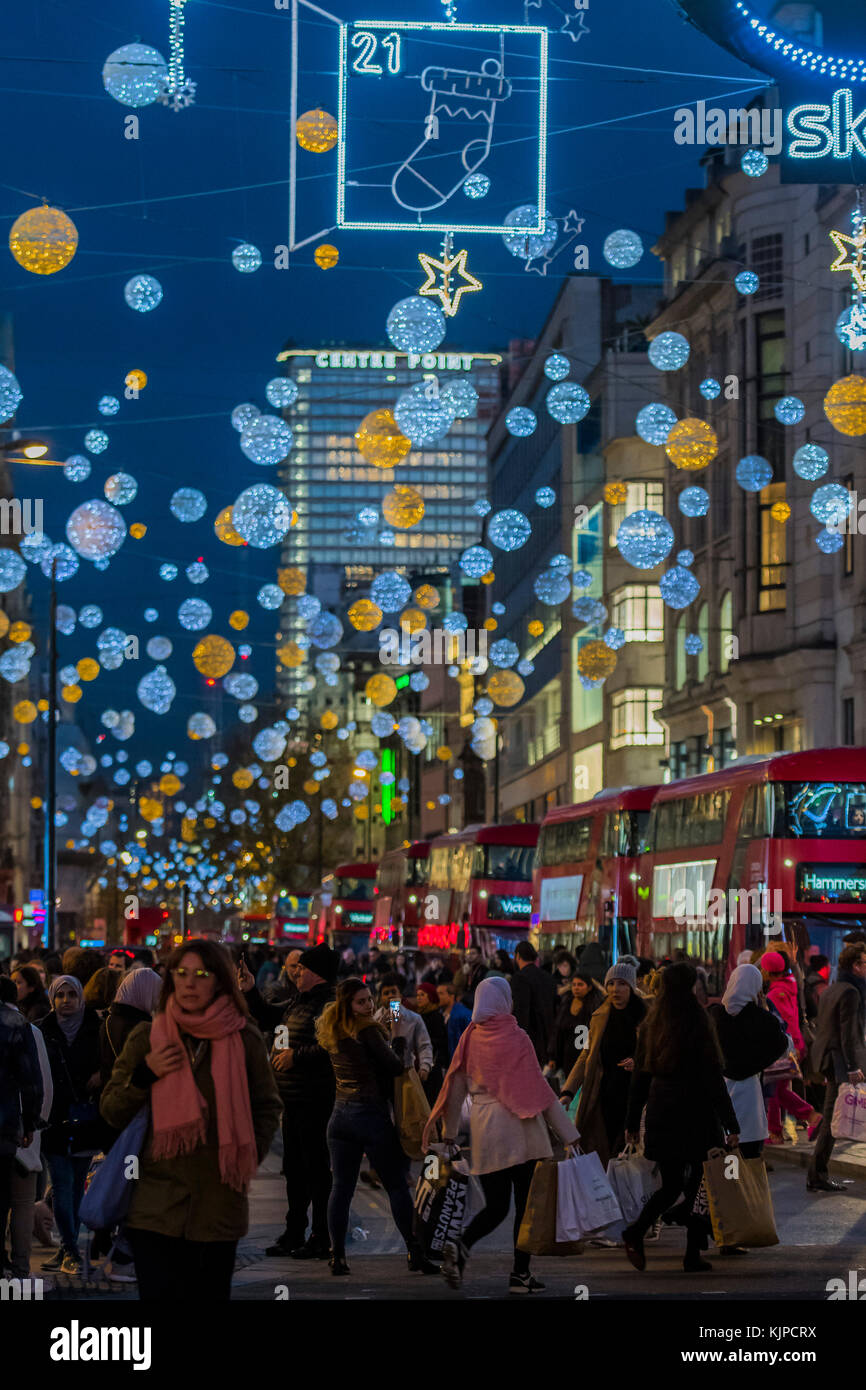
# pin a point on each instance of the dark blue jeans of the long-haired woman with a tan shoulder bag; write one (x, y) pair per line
(358, 1128)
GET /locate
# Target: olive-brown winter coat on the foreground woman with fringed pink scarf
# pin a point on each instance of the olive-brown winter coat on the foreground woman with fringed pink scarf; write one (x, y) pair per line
(184, 1197)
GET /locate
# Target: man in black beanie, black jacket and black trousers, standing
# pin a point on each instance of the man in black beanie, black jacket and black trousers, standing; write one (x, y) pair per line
(305, 1078)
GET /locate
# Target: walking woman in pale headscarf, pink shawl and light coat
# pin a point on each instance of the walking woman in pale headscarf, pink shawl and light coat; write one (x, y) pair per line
(512, 1109)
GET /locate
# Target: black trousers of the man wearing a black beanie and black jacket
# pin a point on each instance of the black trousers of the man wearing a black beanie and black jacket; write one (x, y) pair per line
(308, 1168)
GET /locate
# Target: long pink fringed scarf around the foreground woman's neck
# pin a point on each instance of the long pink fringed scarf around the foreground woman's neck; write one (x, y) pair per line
(180, 1113)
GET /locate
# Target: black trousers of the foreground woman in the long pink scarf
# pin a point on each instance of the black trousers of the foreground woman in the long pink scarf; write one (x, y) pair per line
(177, 1271)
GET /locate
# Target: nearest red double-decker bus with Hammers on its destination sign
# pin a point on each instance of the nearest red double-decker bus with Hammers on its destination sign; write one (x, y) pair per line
(769, 847)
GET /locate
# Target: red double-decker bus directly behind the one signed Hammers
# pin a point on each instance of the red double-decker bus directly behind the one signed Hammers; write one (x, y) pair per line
(586, 875)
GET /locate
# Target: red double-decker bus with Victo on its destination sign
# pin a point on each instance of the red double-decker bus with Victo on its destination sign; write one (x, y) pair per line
(479, 890)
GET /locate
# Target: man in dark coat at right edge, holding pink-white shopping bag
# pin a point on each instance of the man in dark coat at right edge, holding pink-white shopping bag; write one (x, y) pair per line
(839, 1052)
